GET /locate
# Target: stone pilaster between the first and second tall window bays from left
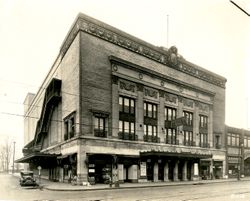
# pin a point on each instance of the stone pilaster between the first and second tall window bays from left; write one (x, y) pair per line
(139, 112)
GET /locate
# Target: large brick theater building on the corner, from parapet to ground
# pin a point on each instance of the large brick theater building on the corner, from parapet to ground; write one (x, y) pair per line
(116, 108)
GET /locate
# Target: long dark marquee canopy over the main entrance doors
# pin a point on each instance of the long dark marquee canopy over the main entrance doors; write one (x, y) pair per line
(176, 154)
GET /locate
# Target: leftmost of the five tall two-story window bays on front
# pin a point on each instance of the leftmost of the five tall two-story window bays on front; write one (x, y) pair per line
(127, 118)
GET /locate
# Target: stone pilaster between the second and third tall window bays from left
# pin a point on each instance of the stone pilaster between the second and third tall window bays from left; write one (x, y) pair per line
(161, 119)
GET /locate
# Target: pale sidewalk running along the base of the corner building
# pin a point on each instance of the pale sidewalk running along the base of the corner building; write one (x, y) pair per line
(58, 186)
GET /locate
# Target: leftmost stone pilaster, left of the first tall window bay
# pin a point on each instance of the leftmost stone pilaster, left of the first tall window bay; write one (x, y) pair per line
(115, 107)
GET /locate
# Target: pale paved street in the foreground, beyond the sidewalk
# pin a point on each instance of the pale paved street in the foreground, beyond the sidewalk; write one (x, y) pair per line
(235, 191)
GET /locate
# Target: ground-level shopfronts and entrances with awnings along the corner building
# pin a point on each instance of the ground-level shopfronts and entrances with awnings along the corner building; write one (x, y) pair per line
(106, 168)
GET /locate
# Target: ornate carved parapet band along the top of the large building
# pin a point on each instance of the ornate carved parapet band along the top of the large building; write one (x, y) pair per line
(169, 58)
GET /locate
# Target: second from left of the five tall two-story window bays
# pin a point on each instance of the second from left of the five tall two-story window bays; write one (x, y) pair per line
(150, 122)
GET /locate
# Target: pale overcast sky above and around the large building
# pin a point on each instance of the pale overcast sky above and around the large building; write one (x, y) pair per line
(213, 34)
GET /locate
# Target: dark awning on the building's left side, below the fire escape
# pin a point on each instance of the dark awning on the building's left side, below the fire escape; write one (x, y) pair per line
(36, 156)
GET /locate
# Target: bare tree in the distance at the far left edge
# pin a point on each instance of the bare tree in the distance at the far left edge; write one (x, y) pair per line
(5, 154)
